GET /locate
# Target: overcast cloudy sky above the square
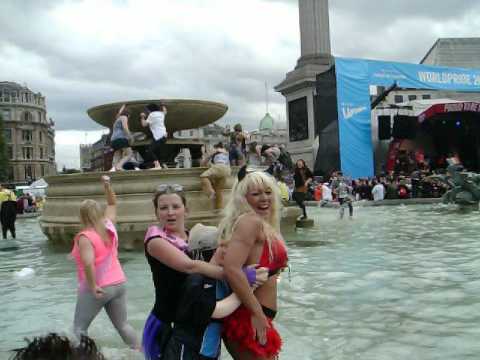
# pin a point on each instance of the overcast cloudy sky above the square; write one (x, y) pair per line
(83, 53)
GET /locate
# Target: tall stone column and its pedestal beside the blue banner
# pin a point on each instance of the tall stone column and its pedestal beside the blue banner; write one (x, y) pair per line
(299, 84)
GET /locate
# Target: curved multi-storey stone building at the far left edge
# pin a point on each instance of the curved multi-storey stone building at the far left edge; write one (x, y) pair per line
(28, 132)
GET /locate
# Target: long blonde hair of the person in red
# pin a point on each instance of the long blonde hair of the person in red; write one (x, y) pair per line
(238, 205)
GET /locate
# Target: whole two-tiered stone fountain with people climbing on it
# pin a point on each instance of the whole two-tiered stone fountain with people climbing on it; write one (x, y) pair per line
(134, 189)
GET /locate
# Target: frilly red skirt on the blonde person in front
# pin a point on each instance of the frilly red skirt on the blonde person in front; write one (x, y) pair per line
(238, 328)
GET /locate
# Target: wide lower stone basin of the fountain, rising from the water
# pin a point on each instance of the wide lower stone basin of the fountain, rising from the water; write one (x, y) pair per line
(135, 212)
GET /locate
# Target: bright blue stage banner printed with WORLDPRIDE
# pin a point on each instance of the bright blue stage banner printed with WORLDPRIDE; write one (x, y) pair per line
(354, 77)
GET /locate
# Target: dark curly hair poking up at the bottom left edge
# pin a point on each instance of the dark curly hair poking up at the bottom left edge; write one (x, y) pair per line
(56, 347)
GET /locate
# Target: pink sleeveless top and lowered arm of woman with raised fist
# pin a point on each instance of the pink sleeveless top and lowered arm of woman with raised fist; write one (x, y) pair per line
(108, 270)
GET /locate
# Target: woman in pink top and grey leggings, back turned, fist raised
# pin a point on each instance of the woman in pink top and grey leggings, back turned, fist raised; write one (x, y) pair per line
(101, 281)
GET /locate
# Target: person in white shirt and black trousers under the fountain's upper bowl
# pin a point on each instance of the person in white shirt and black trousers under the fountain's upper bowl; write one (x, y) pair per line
(156, 122)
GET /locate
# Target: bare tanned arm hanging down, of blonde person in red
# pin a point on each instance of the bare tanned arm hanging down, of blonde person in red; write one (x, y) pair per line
(243, 240)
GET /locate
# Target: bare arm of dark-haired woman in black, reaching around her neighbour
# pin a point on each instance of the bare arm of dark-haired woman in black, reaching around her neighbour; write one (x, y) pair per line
(172, 257)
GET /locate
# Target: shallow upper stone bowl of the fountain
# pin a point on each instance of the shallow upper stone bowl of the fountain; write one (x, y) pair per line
(181, 114)
